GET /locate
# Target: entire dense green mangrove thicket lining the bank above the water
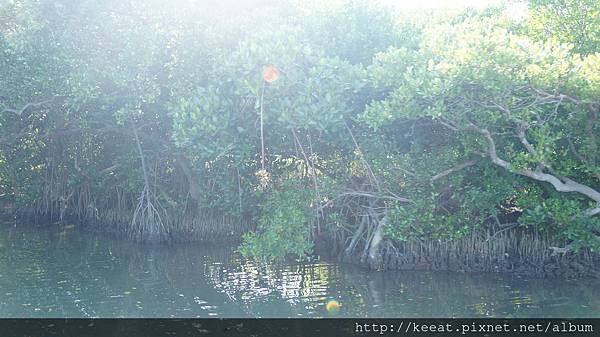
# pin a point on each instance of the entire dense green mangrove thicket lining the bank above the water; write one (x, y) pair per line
(346, 122)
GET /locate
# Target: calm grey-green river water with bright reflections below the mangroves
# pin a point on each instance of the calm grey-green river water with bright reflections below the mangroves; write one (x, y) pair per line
(61, 272)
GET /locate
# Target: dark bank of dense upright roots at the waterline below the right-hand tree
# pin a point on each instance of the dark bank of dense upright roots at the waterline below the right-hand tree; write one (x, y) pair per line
(520, 252)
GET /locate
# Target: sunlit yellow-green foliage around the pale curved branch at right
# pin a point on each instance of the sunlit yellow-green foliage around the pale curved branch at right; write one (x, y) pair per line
(509, 92)
